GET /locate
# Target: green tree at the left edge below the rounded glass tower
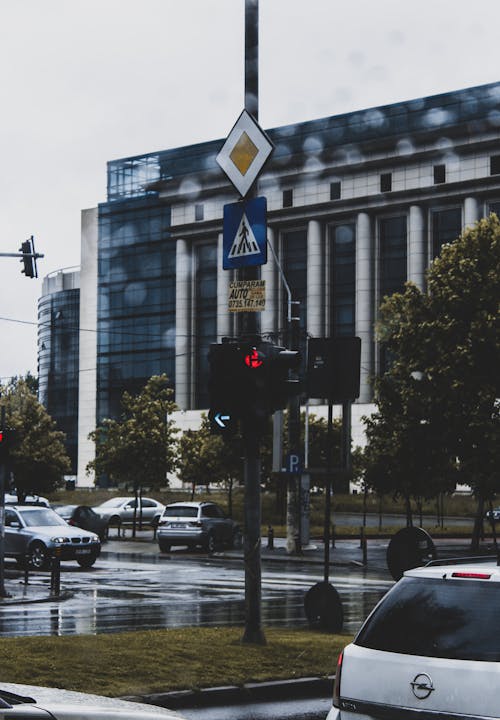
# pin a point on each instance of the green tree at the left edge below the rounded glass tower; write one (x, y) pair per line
(38, 460)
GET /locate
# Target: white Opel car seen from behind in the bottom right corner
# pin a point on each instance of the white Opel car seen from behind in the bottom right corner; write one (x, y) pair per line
(430, 648)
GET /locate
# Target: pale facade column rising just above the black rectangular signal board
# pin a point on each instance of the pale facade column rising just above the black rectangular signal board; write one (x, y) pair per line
(315, 275)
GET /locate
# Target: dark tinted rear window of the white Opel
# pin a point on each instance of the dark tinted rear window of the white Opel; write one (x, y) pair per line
(456, 619)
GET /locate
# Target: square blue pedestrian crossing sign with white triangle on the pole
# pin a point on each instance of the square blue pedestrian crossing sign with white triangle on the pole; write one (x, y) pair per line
(245, 234)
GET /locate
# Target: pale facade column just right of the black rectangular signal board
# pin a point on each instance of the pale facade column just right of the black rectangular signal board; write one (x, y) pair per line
(365, 302)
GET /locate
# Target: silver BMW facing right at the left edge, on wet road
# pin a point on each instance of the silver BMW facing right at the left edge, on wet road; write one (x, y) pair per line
(34, 535)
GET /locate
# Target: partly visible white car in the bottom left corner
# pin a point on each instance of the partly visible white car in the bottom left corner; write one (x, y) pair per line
(29, 701)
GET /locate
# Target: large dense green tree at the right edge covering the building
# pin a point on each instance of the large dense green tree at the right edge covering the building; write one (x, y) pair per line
(437, 420)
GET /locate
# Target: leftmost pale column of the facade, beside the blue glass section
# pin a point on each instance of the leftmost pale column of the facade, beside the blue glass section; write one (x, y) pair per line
(183, 295)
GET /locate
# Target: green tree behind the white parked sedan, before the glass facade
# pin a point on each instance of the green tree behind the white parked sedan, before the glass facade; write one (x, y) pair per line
(138, 449)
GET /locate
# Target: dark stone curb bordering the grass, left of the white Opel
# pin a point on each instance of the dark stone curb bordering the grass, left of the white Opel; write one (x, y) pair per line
(235, 695)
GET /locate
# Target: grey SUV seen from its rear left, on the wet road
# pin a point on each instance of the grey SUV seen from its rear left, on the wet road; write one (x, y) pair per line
(197, 524)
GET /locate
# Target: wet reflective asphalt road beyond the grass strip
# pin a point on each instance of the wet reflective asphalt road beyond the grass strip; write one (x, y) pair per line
(148, 591)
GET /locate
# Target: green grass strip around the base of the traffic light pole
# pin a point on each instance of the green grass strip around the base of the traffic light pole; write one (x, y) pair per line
(162, 660)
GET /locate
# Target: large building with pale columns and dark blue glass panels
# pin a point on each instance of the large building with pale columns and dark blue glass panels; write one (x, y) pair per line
(358, 204)
